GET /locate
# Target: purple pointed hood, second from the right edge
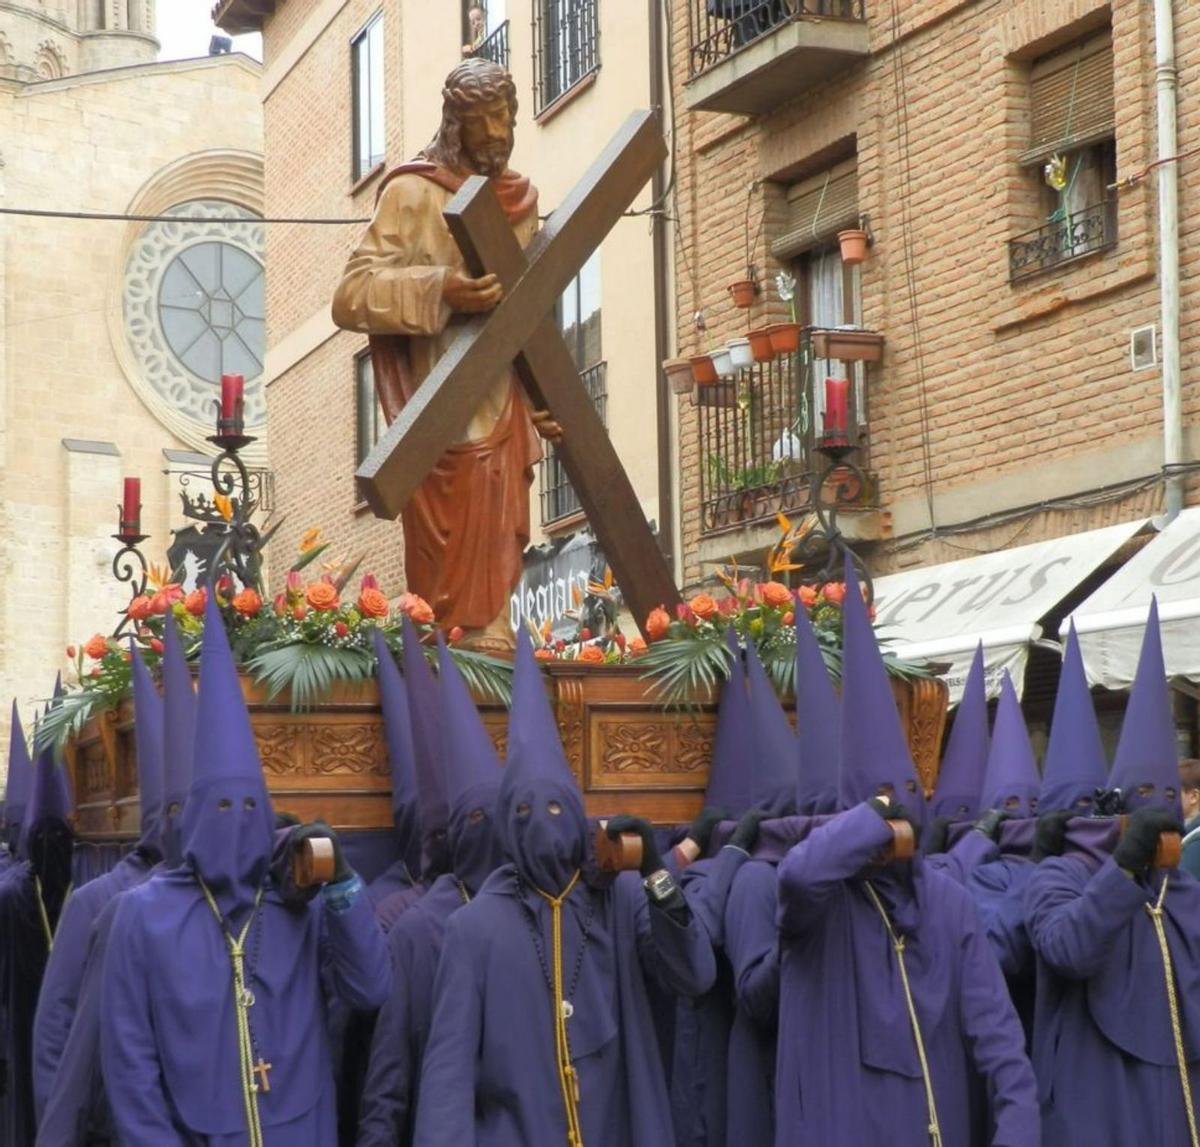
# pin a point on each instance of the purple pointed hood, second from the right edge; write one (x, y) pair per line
(1075, 766)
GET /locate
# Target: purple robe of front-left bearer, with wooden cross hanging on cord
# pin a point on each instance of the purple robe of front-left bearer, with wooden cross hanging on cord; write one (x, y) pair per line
(170, 1037)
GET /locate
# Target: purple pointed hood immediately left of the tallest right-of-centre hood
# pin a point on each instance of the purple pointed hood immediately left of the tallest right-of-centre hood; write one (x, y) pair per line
(818, 725)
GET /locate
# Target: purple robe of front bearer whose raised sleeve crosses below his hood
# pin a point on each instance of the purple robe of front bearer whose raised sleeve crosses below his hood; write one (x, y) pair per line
(849, 1071)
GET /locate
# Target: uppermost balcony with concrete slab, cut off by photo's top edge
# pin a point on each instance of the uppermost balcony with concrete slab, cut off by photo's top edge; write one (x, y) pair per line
(749, 57)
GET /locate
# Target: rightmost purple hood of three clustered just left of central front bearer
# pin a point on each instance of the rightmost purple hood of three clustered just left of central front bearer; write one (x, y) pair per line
(473, 778)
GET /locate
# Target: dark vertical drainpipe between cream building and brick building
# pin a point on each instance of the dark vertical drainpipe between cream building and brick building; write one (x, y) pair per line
(665, 439)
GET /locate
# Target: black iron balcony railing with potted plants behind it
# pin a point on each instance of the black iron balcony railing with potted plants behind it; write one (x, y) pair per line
(758, 437)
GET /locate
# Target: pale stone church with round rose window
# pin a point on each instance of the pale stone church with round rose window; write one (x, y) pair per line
(111, 347)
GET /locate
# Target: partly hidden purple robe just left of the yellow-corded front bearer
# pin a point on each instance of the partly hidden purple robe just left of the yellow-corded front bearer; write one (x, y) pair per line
(403, 1030)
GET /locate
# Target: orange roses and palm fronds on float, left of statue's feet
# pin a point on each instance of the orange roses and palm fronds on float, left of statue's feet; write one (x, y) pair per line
(313, 635)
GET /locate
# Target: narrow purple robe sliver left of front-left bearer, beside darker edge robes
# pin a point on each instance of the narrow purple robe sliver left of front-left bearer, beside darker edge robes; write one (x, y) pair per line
(65, 968)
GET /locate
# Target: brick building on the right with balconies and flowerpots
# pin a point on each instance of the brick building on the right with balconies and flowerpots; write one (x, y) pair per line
(999, 155)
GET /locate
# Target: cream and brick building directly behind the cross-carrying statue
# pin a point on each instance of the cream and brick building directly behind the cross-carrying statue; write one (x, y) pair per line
(351, 89)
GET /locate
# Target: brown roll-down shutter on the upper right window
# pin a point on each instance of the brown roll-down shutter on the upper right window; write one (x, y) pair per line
(1071, 98)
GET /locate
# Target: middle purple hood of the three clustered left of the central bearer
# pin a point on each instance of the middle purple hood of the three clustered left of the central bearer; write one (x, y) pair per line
(425, 712)
